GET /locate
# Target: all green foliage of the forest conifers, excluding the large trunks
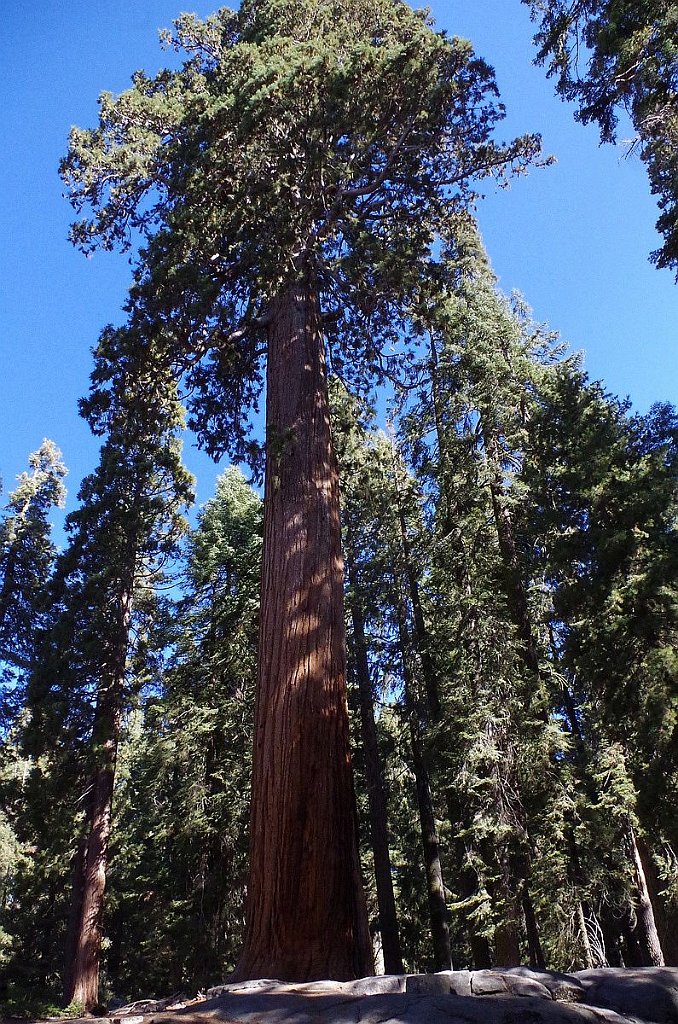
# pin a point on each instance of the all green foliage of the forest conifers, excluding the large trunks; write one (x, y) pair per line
(512, 543)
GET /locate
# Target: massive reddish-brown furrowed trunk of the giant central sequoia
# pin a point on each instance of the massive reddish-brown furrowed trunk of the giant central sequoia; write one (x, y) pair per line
(307, 911)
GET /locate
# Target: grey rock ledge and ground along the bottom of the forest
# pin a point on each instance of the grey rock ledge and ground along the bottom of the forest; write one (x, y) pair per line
(517, 996)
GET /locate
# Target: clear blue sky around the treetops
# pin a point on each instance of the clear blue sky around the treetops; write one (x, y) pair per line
(574, 238)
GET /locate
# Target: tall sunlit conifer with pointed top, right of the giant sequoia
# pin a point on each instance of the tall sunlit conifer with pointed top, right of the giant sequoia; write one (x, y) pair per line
(467, 434)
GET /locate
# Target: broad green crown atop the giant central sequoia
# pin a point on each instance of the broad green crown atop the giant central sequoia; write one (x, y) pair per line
(347, 137)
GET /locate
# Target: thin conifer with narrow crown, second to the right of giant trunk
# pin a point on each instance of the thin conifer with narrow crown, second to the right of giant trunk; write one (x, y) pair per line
(374, 482)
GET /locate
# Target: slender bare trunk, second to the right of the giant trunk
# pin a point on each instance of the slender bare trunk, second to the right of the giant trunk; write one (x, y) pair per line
(438, 907)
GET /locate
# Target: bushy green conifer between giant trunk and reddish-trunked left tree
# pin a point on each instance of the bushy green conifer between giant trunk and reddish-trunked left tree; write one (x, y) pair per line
(180, 849)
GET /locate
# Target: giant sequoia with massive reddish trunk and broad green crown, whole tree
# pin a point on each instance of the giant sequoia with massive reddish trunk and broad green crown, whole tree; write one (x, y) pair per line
(301, 163)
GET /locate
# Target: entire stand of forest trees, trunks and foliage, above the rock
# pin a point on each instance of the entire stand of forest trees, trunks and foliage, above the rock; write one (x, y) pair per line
(418, 706)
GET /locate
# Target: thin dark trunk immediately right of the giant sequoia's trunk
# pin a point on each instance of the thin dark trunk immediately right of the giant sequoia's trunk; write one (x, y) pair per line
(378, 820)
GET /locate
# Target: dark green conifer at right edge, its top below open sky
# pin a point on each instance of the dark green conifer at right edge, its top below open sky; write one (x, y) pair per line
(604, 492)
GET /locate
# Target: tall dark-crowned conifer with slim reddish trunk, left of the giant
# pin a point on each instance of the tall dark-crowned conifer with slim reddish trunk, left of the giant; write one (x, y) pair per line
(121, 539)
